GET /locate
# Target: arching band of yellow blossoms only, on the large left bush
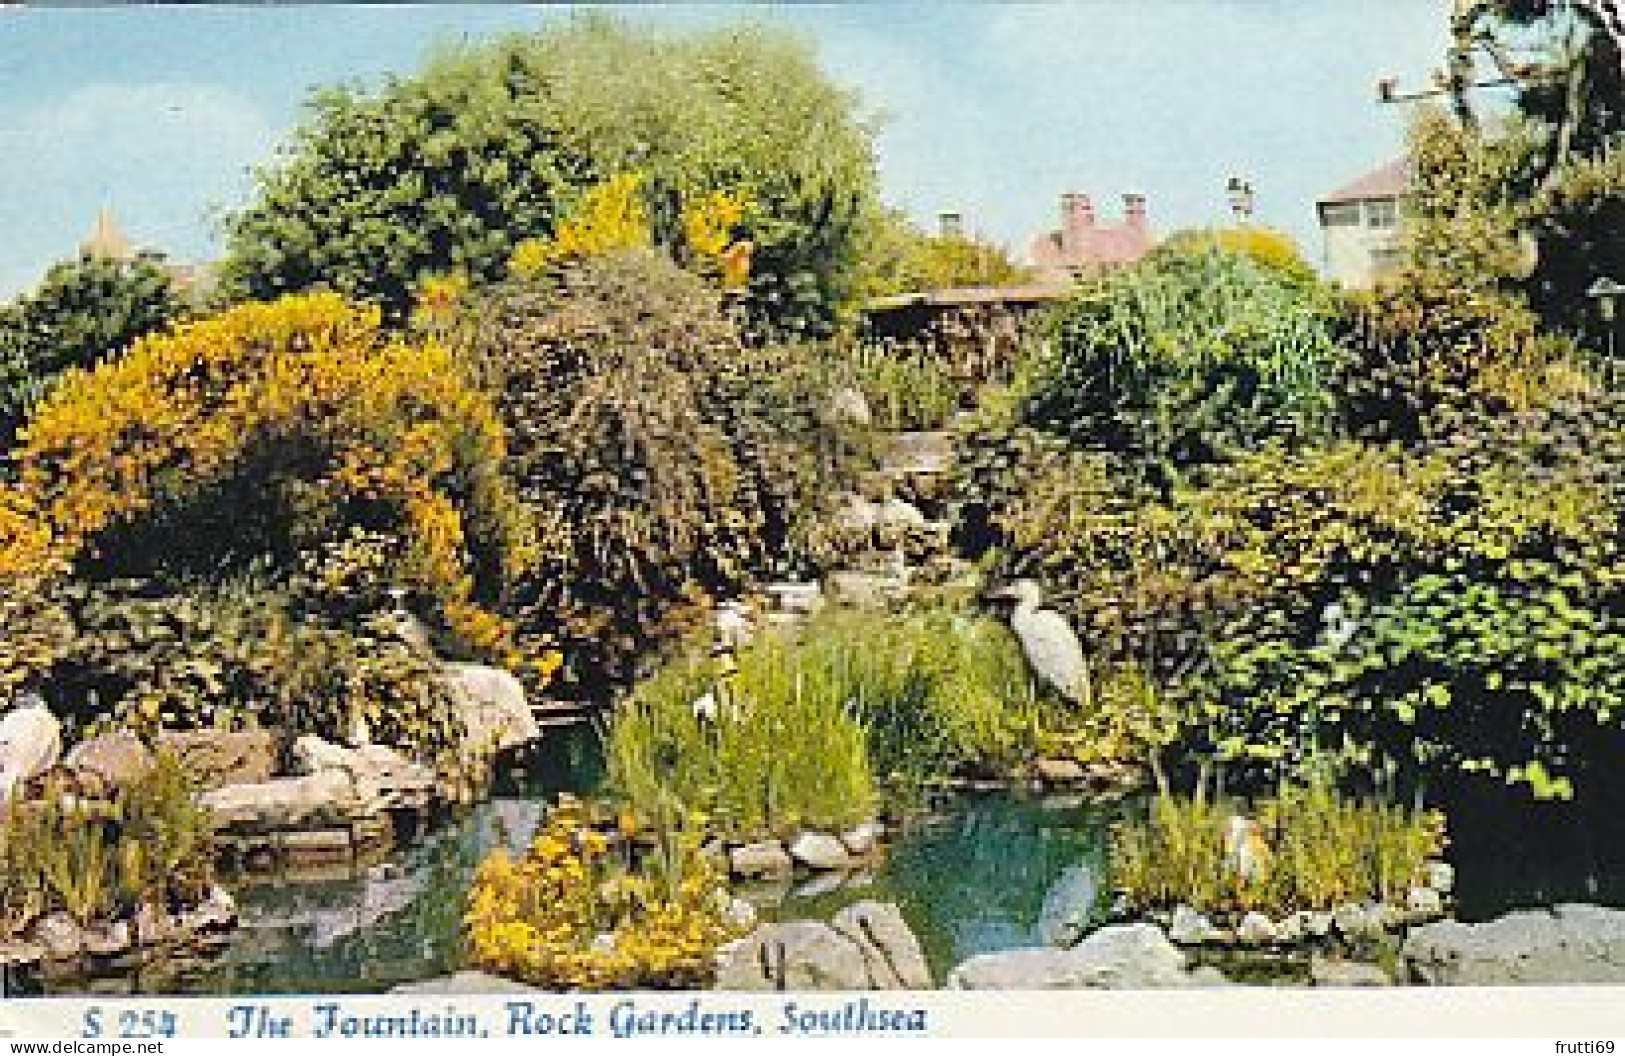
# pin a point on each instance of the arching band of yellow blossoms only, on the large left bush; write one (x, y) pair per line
(186, 410)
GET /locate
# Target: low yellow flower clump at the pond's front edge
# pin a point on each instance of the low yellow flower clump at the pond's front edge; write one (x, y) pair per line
(586, 912)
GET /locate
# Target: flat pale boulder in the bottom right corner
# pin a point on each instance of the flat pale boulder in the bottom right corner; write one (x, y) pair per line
(1567, 945)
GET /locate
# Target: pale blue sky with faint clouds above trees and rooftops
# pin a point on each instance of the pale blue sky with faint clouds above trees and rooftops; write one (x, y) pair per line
(990, 110)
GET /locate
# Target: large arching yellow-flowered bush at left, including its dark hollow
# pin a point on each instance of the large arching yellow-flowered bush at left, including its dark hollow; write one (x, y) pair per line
(266, 433)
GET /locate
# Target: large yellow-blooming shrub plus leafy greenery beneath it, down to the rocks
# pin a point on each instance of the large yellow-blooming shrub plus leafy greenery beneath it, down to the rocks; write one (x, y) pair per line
(206, 530)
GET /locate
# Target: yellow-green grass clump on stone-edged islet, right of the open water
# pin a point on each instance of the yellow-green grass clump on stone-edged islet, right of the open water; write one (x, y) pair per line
(1324, 850)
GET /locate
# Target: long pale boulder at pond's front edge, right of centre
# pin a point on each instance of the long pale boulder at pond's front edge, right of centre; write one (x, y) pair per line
(1116, 958)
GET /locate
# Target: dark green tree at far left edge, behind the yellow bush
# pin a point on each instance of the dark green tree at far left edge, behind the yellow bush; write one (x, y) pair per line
(84, 311)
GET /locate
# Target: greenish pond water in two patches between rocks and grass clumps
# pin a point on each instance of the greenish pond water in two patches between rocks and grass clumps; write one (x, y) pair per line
(981, 873)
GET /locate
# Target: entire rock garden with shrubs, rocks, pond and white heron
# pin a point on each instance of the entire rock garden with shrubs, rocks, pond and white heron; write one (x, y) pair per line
(1255, 582)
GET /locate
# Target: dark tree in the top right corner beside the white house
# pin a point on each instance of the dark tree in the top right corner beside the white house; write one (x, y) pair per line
(1543, 201)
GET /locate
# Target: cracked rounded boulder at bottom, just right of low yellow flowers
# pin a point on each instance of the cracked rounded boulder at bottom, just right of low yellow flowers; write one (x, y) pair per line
(795, 956)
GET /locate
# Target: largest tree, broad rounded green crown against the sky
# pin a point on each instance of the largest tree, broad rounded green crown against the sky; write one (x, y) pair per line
(490, 145)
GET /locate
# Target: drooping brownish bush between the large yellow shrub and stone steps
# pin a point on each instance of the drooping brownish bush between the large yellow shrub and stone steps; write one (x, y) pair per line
(649, 446)
